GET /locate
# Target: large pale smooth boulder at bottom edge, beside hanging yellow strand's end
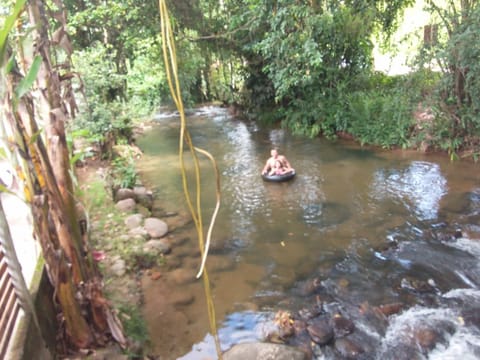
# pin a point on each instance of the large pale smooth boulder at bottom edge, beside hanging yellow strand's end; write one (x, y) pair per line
(263, 351)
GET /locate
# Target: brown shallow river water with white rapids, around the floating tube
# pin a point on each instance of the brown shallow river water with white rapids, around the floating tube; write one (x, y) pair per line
(356, 229)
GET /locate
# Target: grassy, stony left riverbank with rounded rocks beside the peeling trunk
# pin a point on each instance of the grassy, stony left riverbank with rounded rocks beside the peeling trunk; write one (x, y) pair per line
(131, 237)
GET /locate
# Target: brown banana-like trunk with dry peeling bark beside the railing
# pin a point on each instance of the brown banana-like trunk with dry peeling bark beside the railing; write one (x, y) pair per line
(45, 167)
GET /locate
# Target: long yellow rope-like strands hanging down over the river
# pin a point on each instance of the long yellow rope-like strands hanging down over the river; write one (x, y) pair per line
(170, 59)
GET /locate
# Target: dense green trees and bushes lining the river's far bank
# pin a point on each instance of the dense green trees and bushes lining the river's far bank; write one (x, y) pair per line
(307, 64)
